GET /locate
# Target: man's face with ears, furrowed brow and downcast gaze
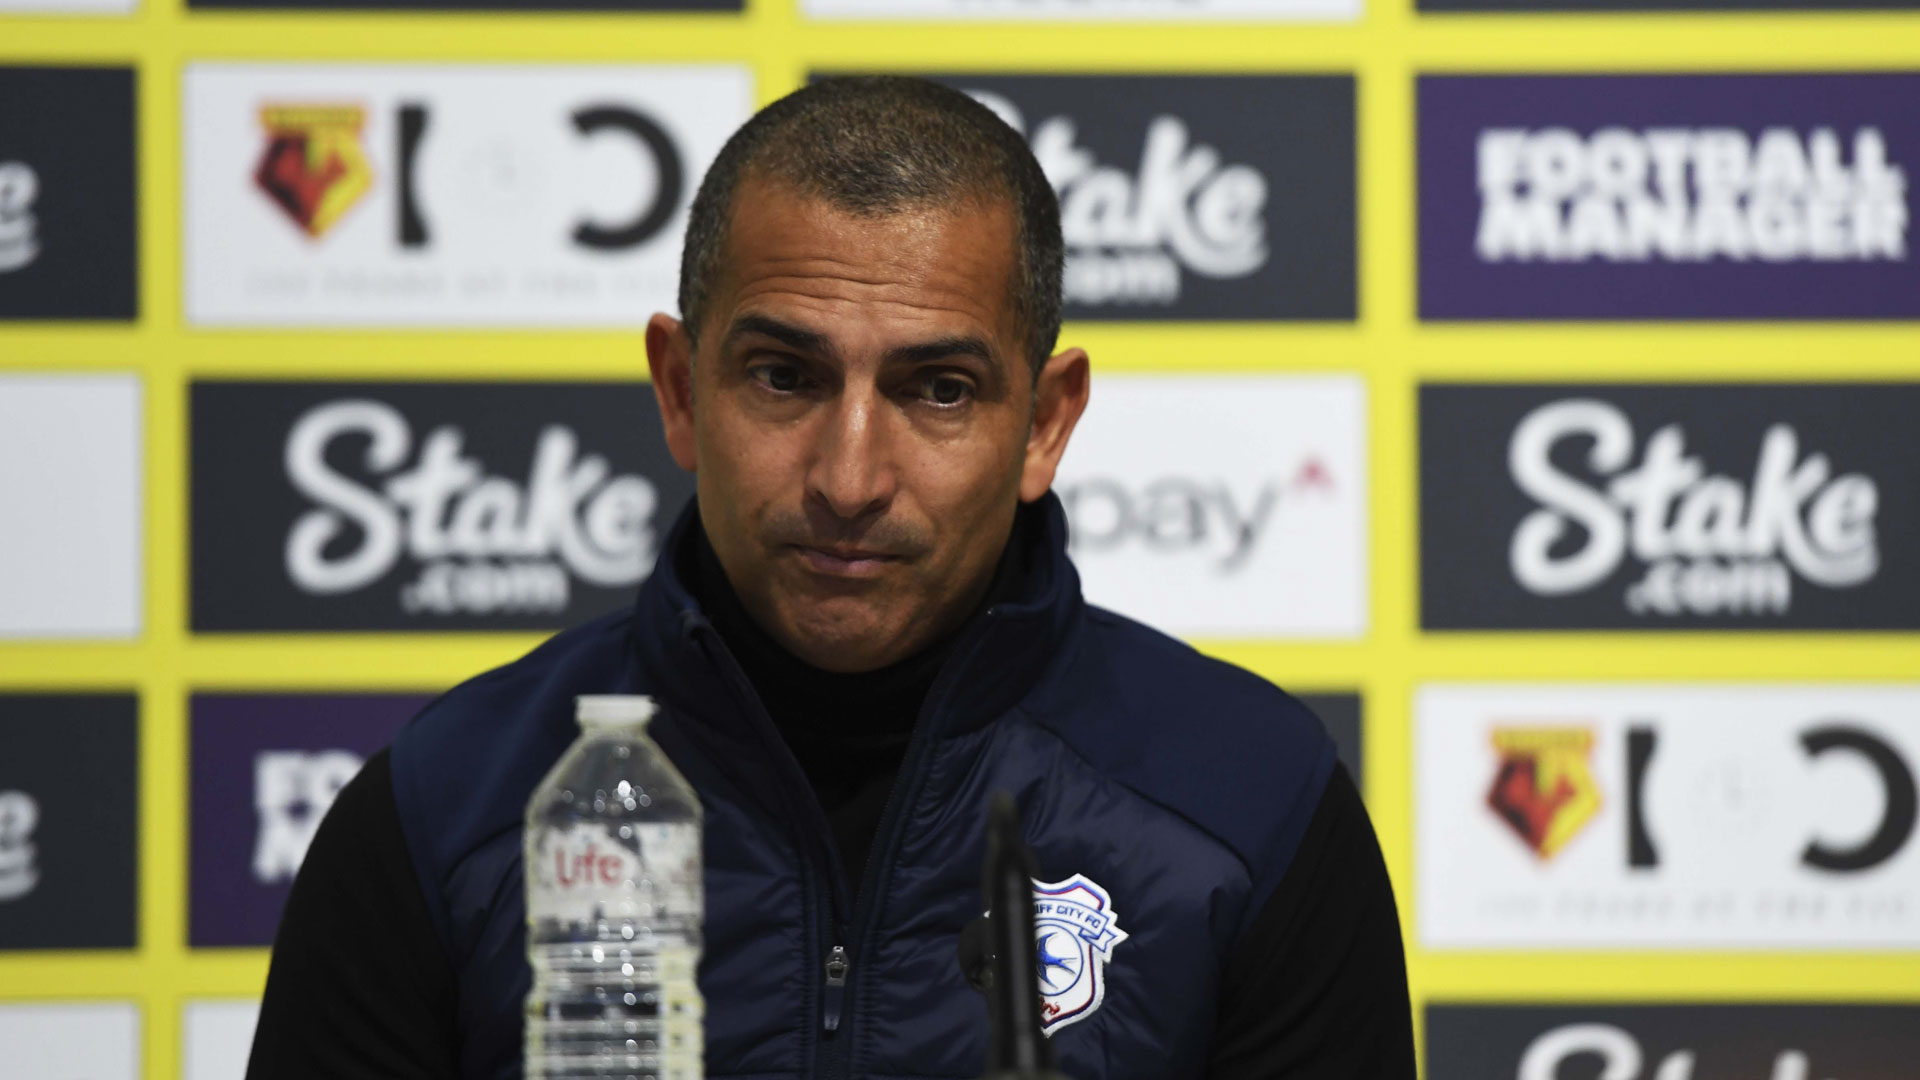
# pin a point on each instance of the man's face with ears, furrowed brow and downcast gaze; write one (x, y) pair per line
(857, 416)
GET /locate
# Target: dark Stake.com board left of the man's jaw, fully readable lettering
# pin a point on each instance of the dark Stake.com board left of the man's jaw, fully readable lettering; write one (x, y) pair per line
(425, 506)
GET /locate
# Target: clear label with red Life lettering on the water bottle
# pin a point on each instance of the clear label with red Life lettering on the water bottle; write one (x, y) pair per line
(588, 871)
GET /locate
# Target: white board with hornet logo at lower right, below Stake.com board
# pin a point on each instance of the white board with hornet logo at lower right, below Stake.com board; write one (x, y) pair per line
(1691, 818)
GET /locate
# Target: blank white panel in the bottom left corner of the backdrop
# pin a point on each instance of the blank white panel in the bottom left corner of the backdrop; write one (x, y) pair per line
(70, 1041)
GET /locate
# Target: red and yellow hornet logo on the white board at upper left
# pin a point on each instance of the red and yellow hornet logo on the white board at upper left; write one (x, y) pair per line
(314, 164)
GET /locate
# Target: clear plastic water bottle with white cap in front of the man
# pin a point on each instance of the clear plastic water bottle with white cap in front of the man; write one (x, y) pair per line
(613, 908)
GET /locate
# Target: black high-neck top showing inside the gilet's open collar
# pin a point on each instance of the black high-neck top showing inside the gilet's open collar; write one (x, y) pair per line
(848, 731)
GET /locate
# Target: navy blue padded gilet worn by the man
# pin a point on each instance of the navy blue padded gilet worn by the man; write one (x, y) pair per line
(1163, 795)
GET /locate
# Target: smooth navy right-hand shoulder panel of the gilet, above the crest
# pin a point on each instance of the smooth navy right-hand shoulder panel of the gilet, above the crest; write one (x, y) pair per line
(1220, 747)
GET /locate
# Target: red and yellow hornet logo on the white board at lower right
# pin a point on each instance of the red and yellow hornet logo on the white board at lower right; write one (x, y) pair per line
(1545, 787)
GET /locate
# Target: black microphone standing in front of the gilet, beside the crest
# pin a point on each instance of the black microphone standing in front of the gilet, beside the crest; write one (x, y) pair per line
(1017, 1048)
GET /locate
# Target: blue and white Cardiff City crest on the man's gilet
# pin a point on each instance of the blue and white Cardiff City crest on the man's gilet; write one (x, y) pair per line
(1076, 933)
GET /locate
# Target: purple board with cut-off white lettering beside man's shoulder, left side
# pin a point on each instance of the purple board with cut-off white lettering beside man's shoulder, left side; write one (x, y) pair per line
(264, 772)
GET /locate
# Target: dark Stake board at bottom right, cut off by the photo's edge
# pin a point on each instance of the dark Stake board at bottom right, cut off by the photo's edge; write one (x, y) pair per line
(1673, 1043)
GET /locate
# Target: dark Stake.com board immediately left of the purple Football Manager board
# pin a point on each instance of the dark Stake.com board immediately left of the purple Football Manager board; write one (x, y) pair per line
(1193, 197)
